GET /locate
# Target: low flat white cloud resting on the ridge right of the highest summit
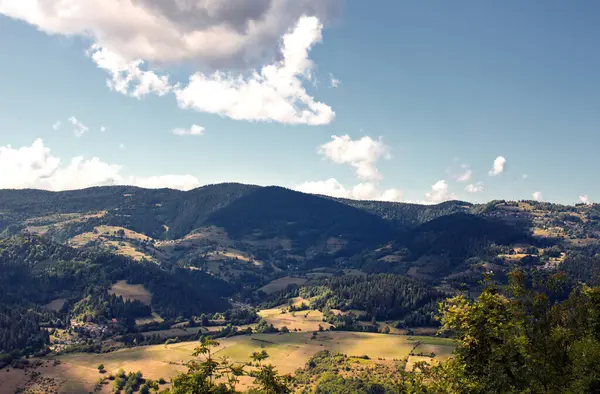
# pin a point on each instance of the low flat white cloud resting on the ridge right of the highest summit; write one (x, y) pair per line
(362, 191)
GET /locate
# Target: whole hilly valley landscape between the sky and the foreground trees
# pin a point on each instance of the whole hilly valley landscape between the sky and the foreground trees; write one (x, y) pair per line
(132, 278)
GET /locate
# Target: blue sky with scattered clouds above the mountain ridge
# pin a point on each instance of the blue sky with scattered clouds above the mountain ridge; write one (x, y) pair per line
(414, 101)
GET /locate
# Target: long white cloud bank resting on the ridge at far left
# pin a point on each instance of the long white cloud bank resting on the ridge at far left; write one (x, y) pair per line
(35, 167)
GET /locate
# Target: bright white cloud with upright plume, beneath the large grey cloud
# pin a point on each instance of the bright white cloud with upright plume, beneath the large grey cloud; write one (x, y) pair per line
(275, 93)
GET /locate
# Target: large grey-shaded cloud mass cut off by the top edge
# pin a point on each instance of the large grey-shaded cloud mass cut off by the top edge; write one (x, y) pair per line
(216, 33)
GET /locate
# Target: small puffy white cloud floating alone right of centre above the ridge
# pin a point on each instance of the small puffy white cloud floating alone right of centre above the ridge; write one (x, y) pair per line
(362, 154)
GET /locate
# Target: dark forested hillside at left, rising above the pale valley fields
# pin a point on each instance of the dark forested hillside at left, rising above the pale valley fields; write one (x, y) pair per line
(35, 272)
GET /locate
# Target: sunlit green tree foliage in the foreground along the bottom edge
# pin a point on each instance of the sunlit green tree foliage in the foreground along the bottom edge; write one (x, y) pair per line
(510, 340)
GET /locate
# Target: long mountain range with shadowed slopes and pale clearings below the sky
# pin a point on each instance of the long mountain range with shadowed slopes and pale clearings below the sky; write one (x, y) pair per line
(248, 234)
